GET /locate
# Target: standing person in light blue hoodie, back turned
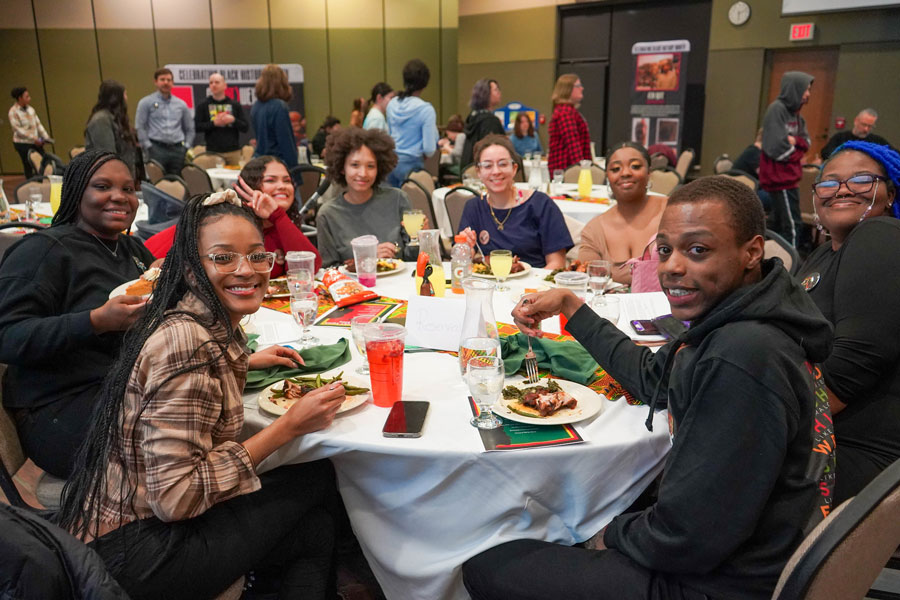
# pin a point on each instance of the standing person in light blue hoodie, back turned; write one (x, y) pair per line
(412, 122)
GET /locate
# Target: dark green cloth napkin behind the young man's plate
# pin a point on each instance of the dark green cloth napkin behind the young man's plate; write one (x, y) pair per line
(567, 360)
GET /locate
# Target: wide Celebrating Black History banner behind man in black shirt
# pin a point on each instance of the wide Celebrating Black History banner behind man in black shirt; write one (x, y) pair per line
(192, 86)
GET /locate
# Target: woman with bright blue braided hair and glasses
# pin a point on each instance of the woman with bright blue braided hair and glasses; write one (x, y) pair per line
(854, 282)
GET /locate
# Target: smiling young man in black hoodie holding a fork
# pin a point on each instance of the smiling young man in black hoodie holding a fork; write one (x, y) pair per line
(736, 490)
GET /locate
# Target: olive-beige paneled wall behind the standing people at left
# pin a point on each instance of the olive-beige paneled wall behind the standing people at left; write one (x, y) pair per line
(62, 49)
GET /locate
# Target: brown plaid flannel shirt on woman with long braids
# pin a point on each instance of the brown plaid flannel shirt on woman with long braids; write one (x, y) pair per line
(181, 453)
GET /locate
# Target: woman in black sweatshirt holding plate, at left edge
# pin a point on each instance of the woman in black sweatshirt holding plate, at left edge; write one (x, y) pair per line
(59, 330)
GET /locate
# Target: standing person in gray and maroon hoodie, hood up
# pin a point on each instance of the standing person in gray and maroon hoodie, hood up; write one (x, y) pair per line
(785, 141)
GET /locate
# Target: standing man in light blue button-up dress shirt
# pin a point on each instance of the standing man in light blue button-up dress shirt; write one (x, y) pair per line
(164, 124)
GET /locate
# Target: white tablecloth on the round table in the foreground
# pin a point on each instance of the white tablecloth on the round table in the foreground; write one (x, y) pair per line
(421, 507)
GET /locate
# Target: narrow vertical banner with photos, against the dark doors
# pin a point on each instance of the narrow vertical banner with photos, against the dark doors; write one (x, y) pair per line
(657, 100)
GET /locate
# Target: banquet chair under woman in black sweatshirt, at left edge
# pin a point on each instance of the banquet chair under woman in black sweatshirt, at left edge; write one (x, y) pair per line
(48, 488)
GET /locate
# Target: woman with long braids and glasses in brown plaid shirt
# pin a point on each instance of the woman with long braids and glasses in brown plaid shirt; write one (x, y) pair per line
(162, 489)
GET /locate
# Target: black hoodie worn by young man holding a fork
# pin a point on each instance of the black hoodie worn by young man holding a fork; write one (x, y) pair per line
(735, 493)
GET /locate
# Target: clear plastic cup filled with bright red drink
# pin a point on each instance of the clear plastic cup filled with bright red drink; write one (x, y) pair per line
(384, 350)
